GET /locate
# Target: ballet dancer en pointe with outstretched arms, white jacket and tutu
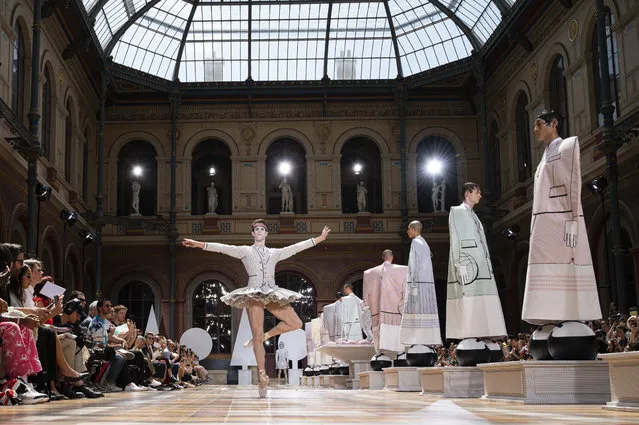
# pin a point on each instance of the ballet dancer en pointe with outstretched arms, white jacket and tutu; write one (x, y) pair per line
(262, 292)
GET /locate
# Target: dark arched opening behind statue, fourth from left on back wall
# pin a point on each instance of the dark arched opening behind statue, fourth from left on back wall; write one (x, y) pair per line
(364, 152)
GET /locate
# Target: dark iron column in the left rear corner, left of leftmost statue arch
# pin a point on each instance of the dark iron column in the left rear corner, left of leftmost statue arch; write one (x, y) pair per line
(99, 208)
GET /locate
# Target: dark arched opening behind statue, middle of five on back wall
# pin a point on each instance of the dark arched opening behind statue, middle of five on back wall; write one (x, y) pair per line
(291, 151)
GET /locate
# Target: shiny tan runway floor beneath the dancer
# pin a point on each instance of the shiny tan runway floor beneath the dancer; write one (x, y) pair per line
(287, 405)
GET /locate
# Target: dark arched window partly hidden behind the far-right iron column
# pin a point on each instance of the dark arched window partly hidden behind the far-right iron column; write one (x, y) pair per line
(613, 68)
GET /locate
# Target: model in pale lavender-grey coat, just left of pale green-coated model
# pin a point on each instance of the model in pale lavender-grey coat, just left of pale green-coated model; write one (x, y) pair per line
(420, 322)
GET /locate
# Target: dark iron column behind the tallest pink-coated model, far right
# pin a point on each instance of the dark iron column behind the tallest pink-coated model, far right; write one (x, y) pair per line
(609, 145)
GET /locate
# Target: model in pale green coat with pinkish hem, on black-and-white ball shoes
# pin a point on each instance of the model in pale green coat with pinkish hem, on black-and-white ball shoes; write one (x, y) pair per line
(473, 309)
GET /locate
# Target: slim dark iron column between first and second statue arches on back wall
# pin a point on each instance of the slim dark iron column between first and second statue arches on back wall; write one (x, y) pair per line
(172, 233)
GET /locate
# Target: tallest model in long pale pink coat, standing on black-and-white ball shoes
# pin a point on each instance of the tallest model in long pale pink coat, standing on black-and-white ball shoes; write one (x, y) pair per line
(561, 291)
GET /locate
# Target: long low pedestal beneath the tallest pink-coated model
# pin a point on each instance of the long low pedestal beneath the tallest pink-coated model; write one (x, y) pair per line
(548, 382)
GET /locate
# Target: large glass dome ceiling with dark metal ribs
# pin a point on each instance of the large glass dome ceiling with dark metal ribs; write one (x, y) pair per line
(271, 40)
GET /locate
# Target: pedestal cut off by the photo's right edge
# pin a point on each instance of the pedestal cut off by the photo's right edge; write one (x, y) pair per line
(624, 380)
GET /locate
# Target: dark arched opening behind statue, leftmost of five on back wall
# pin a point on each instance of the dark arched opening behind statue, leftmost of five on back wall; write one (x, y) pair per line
(137, 154)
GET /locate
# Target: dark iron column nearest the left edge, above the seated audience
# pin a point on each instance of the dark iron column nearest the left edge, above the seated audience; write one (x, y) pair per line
(34, 119)
